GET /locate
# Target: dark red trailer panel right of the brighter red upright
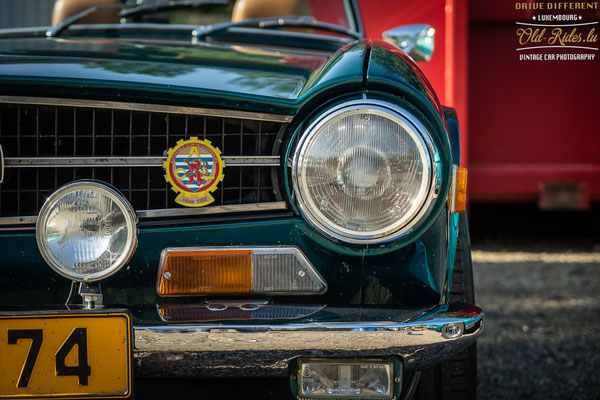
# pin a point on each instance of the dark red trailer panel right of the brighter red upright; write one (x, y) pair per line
(534, 124)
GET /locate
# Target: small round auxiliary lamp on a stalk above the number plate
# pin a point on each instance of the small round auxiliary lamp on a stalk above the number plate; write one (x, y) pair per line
(86, 231)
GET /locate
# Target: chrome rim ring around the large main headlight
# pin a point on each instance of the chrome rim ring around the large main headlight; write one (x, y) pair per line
(417, 131)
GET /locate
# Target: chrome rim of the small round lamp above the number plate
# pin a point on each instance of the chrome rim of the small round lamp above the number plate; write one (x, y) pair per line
(115, 195)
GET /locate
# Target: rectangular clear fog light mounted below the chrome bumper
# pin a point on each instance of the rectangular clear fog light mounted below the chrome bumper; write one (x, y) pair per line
(322, 378)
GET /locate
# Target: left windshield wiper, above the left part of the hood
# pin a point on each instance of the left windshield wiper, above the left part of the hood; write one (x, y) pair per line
(139, 10)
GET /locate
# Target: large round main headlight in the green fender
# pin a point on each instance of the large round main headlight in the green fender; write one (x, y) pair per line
(363, 173)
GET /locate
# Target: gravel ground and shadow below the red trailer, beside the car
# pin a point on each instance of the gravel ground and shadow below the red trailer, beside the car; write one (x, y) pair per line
(540, 288)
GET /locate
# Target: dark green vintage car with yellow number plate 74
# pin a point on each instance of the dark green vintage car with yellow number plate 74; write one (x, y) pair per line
(232, 192)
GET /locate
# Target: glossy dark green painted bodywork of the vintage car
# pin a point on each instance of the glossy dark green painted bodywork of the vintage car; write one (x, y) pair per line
(411, 272)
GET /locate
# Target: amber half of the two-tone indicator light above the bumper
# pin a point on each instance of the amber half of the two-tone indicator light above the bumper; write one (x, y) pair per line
(206, 272)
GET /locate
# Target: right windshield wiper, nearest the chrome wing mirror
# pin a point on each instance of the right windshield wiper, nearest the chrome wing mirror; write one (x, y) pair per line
(298, 21)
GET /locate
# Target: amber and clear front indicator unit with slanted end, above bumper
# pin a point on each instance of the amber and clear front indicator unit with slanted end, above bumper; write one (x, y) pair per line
(236, 271)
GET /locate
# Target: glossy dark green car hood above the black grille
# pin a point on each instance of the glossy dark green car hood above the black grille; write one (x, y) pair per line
(273, 79)
